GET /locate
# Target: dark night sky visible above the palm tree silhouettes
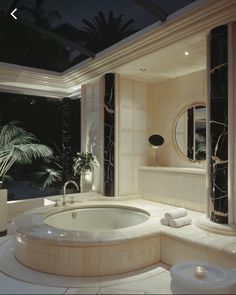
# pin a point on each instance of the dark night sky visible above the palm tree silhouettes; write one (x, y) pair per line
(73, 11)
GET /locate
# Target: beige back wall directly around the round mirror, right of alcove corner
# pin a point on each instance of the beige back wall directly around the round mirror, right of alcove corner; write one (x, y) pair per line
(167, 100)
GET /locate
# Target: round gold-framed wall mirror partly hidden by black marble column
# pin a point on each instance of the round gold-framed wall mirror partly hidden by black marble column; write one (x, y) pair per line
(190, 132)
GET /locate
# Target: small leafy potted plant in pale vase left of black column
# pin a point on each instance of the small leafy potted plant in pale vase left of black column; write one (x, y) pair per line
(84, 163)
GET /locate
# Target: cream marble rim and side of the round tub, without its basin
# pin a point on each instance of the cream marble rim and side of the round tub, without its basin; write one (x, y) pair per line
(51, 249)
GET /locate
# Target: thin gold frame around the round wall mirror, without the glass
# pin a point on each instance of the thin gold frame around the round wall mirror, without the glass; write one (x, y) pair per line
(184, 109)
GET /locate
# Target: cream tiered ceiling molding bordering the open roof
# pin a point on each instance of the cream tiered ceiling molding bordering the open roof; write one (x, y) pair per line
(199, 17)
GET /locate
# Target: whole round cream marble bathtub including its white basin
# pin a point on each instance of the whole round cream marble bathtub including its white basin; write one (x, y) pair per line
(86, 240)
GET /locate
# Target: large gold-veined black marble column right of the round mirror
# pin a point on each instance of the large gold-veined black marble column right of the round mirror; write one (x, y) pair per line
(218, 131)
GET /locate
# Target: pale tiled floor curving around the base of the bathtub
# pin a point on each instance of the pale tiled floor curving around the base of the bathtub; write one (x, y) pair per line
(17, 279)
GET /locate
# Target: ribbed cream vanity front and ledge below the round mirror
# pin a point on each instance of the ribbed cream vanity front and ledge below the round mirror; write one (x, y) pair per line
(178, 186)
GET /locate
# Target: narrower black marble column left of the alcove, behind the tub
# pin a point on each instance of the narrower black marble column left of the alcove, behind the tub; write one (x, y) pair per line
(109, 135)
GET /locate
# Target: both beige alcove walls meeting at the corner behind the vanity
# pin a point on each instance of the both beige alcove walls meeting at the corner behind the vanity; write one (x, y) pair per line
(145, 109)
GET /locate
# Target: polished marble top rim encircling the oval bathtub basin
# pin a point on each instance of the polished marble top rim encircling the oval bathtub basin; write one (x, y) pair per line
(33, 224)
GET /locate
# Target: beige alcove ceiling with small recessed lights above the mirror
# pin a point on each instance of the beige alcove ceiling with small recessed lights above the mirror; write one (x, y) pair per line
(169, 62)
